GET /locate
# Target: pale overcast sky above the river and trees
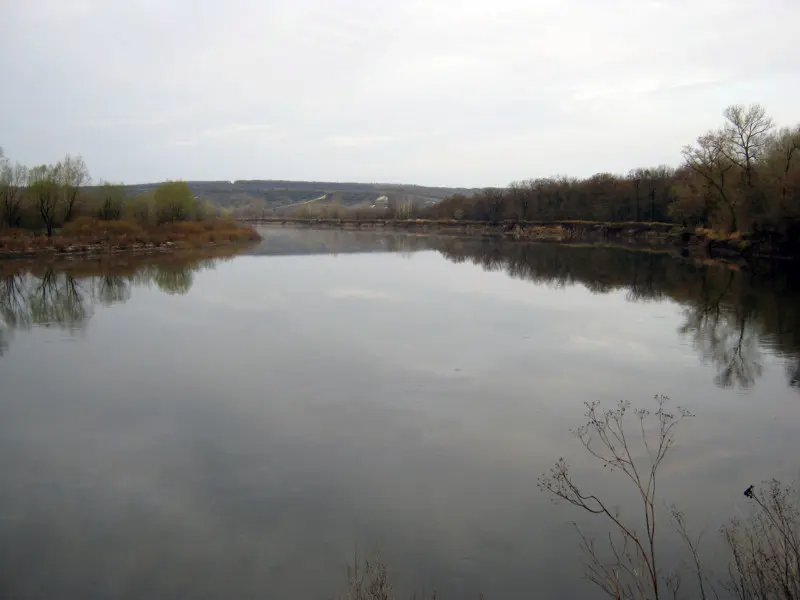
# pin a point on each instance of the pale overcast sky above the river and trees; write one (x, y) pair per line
(449, 92)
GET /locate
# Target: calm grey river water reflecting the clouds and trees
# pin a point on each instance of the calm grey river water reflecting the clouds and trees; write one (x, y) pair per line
(235, 428)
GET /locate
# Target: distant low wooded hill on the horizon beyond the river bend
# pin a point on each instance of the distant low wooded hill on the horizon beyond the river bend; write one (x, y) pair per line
(258, 197)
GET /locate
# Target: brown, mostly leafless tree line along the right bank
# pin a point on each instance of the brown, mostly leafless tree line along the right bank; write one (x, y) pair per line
(743, 176)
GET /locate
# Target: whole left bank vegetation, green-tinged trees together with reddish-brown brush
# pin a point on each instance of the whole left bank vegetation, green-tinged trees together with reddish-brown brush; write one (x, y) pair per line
(51, 209)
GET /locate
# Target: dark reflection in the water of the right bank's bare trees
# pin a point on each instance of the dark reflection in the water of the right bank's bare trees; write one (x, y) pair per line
(731, 314)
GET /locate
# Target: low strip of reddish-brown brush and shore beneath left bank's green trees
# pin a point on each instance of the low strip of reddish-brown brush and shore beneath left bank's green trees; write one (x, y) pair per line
(89, 237)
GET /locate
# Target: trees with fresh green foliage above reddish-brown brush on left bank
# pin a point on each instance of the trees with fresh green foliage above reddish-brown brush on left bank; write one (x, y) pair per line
(48, 196)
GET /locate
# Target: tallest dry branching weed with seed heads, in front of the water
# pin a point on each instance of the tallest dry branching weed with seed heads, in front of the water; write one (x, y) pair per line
(633, 571)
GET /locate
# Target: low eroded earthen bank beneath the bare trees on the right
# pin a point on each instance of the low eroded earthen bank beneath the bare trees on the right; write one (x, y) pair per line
(659, 236)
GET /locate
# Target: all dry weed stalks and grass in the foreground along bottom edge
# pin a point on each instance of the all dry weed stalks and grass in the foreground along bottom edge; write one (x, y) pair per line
(633, 444)
